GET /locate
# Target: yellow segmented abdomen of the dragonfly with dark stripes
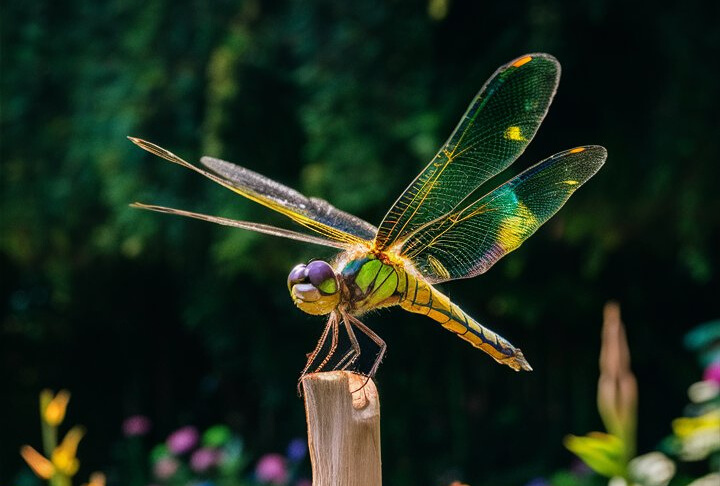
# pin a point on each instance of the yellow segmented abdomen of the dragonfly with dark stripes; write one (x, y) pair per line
(421, 298)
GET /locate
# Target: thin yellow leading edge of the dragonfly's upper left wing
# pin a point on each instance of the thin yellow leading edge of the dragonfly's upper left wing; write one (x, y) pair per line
(323, 229)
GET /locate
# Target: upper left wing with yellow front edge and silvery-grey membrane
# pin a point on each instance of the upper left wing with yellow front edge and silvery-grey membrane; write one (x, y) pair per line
(315, 214)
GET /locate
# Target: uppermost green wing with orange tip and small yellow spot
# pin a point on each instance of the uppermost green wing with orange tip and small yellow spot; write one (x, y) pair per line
(498, 125)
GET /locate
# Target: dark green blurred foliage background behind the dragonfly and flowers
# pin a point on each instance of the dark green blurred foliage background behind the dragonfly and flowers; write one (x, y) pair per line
(188, 323)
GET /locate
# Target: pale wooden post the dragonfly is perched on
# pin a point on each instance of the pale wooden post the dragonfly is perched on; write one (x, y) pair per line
(343, 418)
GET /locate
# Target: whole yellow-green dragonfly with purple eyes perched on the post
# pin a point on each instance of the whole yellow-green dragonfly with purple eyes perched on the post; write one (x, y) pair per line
(434, 232)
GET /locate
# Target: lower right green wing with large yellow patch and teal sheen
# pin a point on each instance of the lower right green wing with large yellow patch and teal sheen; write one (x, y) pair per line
(469, 241)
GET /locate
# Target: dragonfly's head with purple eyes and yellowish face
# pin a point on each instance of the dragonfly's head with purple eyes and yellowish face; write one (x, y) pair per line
(314, 287)
